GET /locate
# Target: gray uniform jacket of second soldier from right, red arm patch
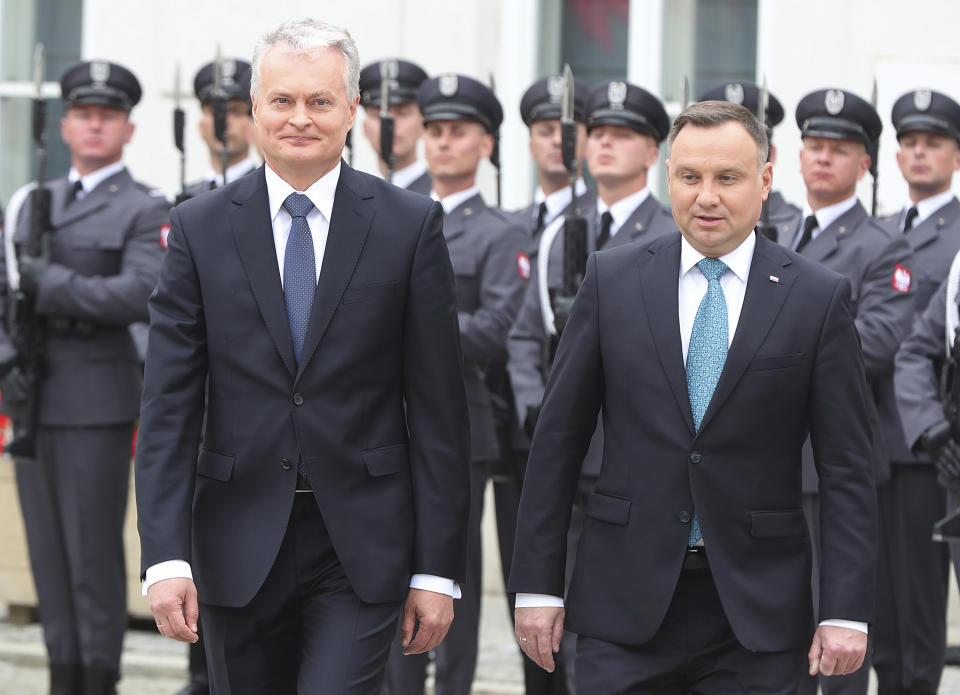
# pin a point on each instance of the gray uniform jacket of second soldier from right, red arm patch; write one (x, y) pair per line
(857, 246)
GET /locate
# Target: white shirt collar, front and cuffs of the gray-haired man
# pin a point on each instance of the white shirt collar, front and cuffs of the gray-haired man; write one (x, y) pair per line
(321, 194)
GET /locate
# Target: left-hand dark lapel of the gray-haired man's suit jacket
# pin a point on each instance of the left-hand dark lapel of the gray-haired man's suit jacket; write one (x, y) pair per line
(253, 235)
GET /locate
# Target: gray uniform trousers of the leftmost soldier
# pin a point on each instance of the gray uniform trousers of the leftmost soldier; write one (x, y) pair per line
(74, 499)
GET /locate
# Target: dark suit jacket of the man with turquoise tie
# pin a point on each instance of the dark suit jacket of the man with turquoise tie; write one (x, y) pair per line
(793, 367)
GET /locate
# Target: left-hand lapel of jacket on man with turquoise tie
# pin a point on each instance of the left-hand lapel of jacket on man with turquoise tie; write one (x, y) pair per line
(659, 272)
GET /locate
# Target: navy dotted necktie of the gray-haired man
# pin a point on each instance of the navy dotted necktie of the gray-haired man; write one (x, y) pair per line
(299, 270)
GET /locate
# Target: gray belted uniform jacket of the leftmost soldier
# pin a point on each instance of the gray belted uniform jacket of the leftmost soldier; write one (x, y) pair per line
(105, 255)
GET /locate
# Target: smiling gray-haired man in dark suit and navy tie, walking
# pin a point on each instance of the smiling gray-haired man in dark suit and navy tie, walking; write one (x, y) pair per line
(317, 303)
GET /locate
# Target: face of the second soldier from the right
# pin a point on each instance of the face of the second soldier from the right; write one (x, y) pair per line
(831, 168)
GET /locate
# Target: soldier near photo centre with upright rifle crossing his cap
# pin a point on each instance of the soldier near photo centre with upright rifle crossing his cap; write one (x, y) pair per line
(540, 111)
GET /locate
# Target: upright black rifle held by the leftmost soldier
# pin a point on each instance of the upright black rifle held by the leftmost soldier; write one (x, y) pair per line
(26, 328)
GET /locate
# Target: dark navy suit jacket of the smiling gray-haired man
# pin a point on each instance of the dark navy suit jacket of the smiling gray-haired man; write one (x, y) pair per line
(376, 407)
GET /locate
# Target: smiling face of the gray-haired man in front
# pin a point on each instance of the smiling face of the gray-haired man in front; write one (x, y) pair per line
(302, 112)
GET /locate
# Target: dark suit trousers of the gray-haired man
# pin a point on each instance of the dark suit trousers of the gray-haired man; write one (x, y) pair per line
(306, 630)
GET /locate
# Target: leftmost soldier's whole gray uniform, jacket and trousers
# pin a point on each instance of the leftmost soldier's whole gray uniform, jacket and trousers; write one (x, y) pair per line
(105, 257)
